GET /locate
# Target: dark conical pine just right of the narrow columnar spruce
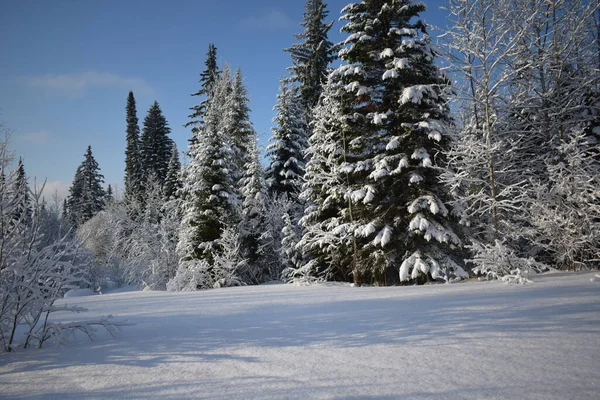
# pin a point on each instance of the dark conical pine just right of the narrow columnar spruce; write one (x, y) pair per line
(155, 144)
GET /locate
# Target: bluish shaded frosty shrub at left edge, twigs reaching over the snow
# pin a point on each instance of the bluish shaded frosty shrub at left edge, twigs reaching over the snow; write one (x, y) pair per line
(33, 274)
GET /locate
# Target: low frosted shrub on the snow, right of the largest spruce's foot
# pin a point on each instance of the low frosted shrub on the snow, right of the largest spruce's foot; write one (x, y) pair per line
(498, 262)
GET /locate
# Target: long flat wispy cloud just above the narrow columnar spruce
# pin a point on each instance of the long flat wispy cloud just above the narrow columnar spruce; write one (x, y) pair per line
(77, 84)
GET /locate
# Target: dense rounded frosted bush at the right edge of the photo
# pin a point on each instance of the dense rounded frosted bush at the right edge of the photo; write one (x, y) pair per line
(567, 207)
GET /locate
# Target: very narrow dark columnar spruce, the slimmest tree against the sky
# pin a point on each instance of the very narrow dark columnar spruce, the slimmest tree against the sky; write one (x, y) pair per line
(133, 166)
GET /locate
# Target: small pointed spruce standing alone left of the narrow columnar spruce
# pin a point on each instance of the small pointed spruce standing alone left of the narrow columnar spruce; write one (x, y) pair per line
(86, 195)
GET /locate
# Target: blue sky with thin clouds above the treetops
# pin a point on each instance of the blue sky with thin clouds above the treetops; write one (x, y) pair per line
(67, 66)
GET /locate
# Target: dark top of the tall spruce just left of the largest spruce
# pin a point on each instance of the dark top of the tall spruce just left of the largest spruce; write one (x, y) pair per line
(312, 56)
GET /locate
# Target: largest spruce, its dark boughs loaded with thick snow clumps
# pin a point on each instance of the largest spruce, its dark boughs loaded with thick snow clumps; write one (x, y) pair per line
(397, 128)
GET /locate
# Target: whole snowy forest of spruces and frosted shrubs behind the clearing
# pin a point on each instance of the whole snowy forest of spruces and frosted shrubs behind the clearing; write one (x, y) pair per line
(396, 158)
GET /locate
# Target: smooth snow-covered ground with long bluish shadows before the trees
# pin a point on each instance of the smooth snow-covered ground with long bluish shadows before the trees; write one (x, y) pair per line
(463, 341)
